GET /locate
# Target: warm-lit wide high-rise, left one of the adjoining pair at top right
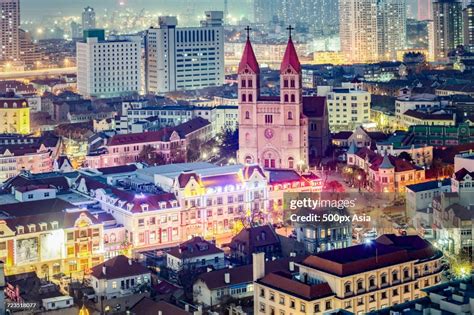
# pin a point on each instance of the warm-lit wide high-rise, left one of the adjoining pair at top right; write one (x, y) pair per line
(358, 30)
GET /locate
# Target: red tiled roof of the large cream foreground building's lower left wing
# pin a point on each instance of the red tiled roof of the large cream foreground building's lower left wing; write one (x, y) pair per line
(283, 281)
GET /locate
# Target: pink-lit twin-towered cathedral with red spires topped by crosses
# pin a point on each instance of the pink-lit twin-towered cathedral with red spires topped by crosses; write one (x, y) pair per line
(275, 131)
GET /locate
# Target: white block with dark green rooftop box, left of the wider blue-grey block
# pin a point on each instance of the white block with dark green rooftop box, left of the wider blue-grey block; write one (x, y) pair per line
(108, 68)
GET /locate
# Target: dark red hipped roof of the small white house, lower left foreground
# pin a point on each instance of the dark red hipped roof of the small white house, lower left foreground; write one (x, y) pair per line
(118, 267)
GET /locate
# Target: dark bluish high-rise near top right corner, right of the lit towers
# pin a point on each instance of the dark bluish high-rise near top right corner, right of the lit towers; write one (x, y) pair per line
(448, 33)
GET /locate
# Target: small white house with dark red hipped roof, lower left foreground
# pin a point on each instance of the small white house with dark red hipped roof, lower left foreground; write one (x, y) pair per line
(118, 276)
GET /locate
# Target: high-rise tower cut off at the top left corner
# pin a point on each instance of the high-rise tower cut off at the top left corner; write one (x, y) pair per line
(9, 29)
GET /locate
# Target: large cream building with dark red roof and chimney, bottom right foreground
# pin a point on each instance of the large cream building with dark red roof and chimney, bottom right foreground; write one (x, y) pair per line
(390, 271)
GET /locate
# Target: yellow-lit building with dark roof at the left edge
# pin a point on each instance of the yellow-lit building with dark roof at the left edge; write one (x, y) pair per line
(14, 115)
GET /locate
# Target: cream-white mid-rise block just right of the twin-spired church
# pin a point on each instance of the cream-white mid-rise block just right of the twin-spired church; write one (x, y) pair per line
(347, 107)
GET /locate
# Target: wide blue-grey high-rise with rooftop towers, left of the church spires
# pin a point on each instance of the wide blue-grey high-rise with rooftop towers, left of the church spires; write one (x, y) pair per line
(184, 58)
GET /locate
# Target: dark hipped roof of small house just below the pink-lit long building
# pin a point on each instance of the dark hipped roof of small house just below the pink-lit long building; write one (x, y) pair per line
(195, 247)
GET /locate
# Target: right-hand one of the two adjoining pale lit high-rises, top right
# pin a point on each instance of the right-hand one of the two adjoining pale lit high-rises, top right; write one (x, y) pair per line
(391, 28)
